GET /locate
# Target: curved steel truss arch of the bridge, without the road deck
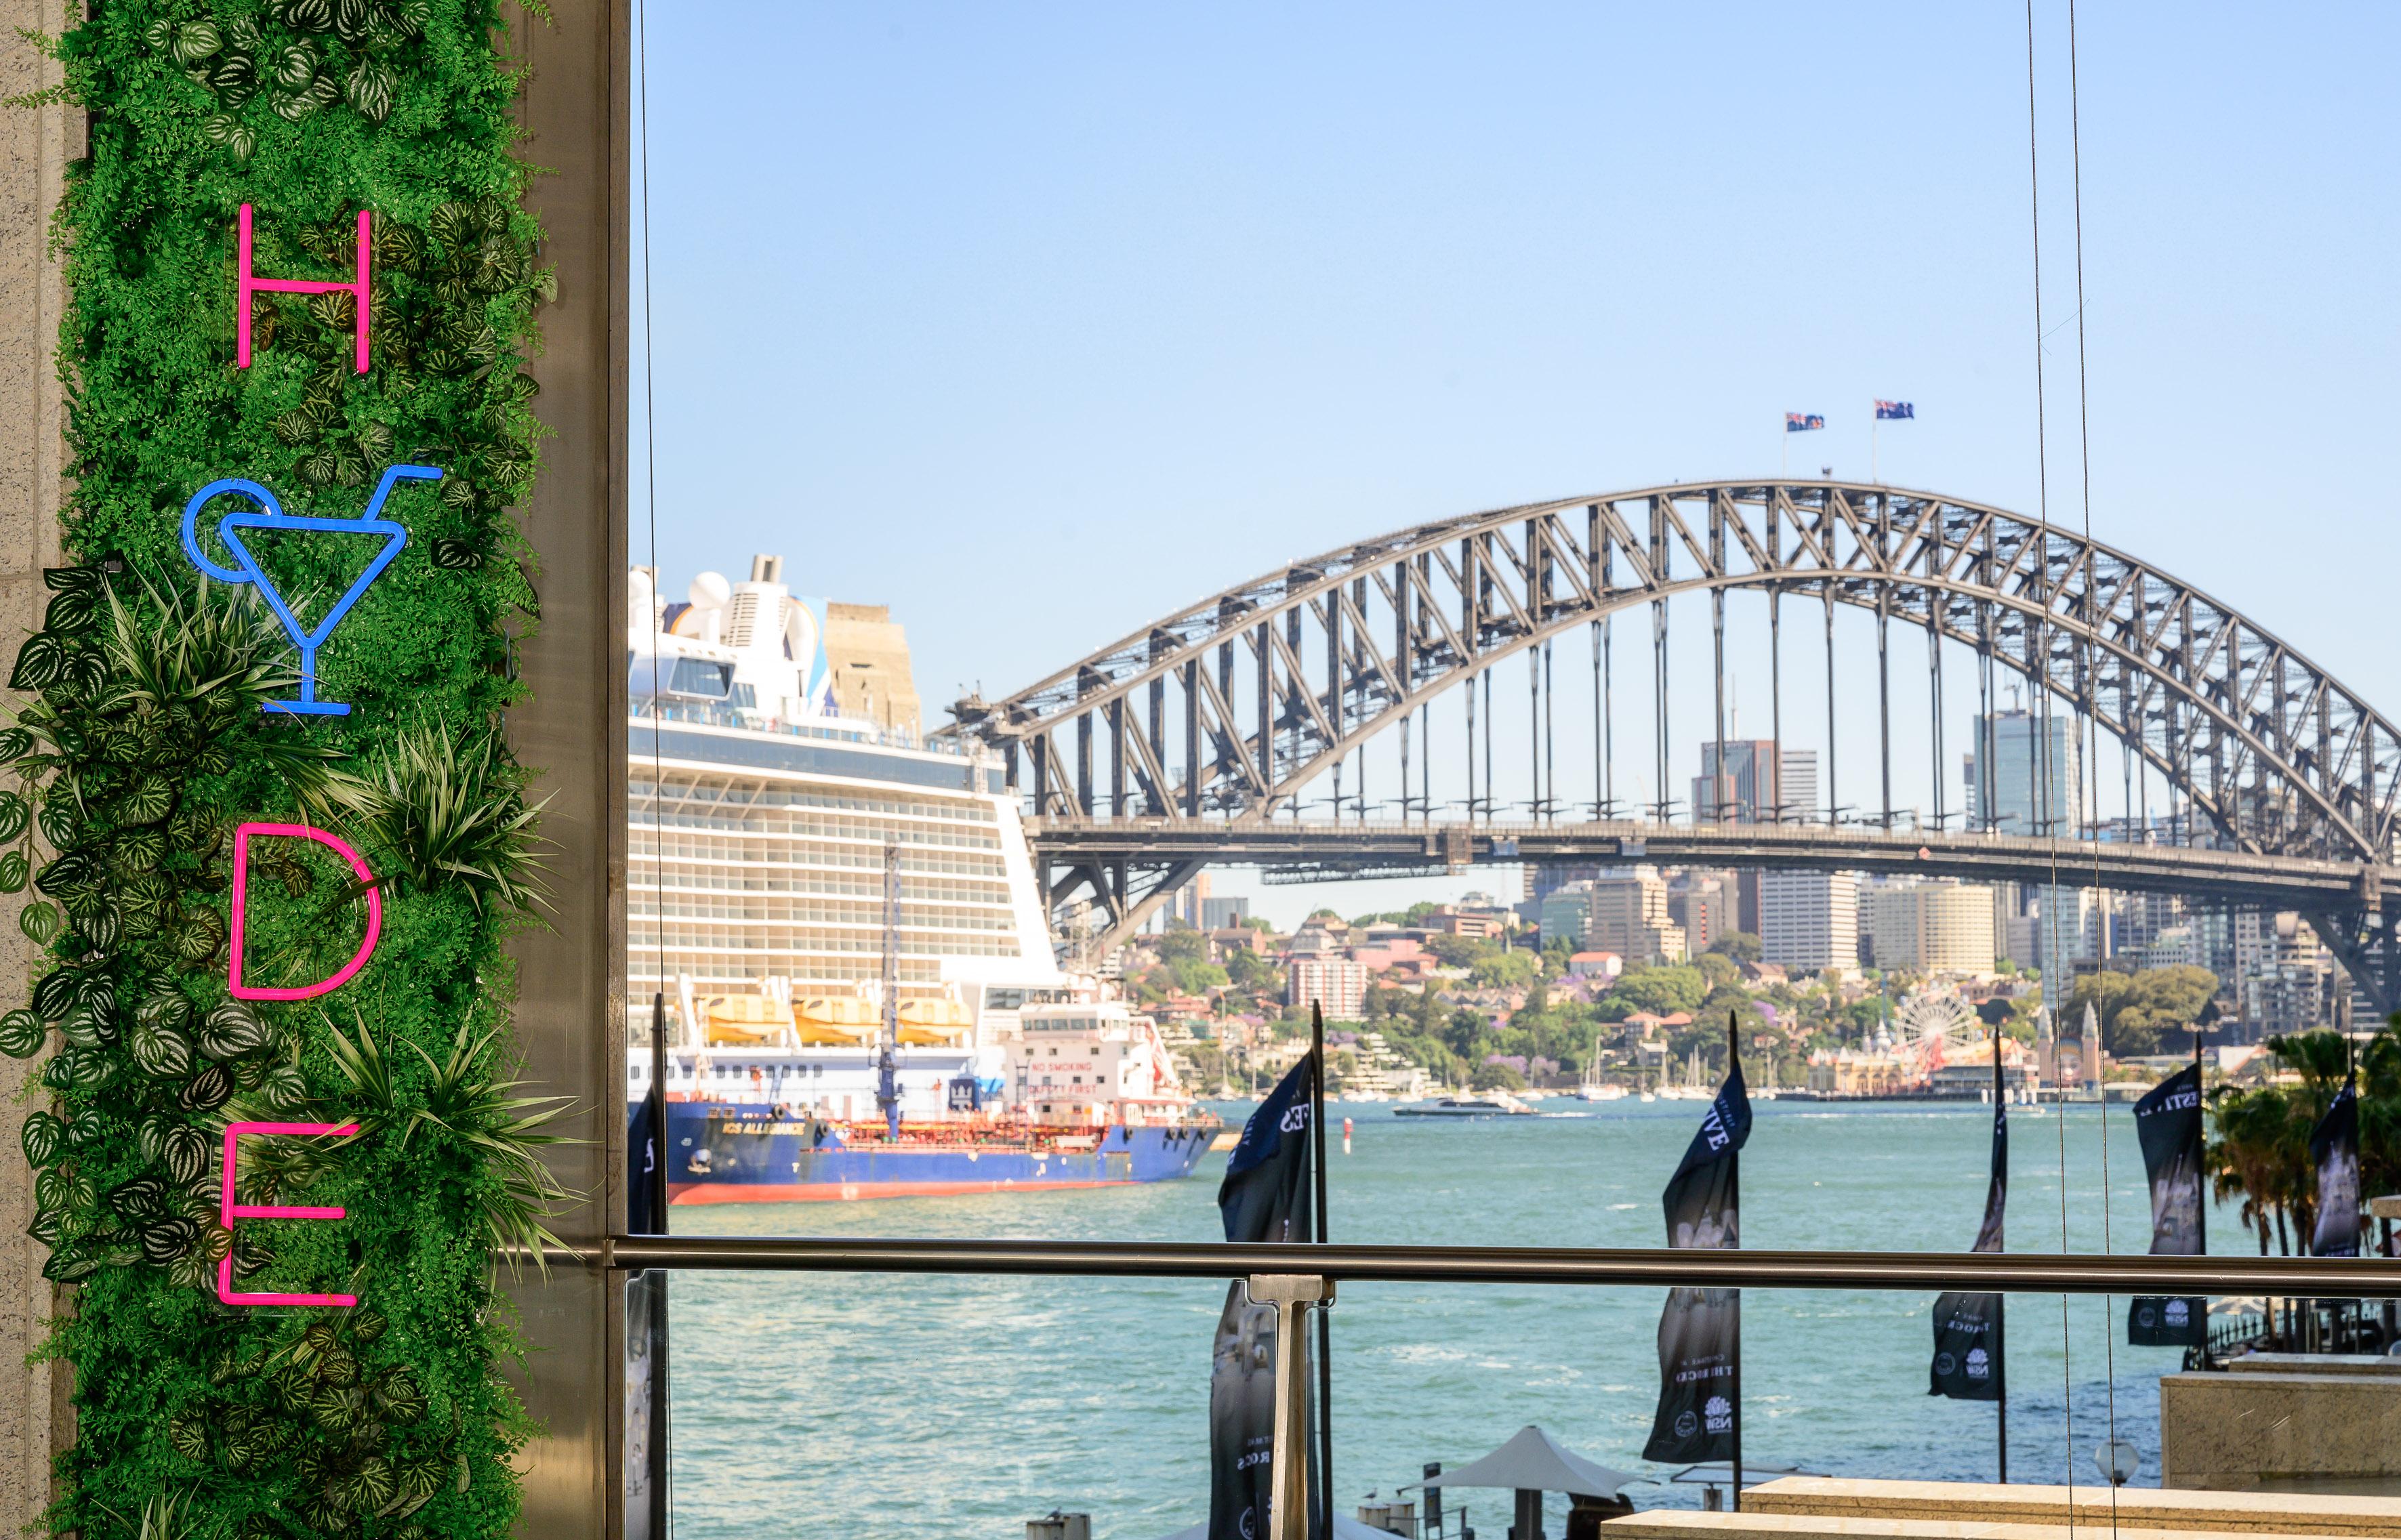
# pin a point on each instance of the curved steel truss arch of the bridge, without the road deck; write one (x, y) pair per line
(1231, 706)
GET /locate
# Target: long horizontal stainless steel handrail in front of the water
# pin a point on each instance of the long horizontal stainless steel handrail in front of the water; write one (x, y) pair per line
(1992, 1273)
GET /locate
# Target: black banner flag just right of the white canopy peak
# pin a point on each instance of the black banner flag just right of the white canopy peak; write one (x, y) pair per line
(1701, 1333)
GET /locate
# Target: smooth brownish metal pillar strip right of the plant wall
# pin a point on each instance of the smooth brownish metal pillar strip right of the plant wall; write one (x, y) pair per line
(570, 1009)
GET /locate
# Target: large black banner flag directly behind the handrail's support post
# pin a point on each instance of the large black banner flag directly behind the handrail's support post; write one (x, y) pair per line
(1264, 1198)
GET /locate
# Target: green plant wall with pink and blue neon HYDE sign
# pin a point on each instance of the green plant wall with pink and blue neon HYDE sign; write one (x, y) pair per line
(143, 747)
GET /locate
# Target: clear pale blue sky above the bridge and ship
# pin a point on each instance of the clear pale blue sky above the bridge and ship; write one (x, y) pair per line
(1038, 323)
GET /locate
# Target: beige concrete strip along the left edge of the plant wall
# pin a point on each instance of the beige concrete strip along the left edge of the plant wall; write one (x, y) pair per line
(35, 148)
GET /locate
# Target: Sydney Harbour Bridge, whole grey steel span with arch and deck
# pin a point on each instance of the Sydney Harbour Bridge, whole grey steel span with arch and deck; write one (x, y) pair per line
(1192, 740)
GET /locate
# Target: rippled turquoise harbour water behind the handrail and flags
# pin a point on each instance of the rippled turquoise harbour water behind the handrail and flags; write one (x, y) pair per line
(887, 1409)
